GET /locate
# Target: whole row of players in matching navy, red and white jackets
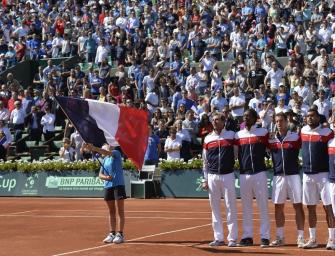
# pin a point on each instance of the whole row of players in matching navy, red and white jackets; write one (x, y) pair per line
(250, 145)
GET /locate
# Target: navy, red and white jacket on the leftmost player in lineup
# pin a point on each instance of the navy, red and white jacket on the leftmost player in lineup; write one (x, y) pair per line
(218, 153)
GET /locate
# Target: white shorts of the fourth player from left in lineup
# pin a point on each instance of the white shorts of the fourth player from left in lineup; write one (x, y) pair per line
(315, 186)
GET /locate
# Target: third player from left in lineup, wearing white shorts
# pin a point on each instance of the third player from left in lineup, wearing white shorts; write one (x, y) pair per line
(285, 146)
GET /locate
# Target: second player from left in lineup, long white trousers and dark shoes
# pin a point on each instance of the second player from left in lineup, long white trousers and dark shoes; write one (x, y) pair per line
(252, 143)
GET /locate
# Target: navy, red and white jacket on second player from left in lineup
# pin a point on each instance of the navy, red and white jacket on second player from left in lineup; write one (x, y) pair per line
(251, 149)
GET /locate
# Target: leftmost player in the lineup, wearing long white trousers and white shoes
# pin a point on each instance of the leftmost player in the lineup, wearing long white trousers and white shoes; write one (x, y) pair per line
(218, 170)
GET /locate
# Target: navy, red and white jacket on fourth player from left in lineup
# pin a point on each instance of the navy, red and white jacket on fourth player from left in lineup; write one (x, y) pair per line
(315, 149)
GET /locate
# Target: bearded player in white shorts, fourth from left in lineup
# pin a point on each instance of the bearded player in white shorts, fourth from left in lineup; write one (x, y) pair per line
(315, 165)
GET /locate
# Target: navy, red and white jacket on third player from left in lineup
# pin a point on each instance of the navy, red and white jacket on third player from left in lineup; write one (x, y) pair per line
(285, 154)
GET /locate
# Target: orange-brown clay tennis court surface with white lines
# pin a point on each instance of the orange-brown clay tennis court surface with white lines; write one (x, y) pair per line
(47, 226)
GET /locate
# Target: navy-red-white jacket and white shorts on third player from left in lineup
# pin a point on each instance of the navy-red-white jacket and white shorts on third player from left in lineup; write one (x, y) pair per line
(286, 179)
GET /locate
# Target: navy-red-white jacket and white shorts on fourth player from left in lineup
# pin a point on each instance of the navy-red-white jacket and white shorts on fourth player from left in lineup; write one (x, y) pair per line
(315, 164)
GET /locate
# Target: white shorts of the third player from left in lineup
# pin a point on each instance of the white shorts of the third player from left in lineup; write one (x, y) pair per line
(284, 187)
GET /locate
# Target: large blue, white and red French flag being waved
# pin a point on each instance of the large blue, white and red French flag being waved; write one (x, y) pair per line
(101, 122)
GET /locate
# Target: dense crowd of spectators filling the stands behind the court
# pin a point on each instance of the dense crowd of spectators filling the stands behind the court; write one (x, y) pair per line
(168, 56)
